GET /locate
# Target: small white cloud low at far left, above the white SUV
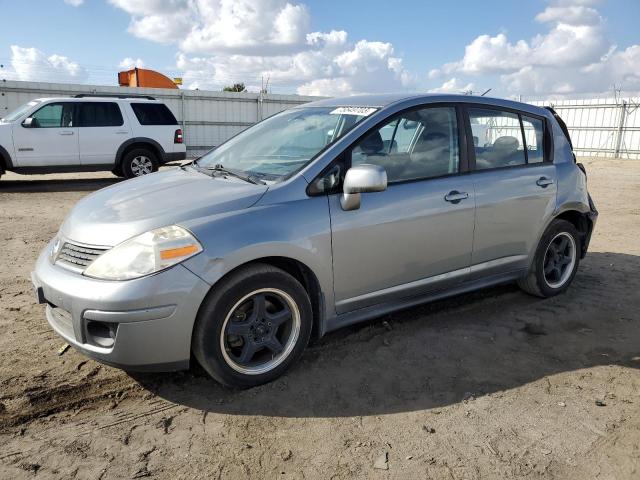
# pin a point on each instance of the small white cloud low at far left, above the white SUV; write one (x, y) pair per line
(31, 64)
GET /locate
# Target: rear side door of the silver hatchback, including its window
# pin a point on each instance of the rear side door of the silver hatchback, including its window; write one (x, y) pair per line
(515, 186)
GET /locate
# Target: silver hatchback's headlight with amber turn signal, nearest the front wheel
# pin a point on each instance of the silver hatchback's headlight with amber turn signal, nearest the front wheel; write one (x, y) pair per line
(147, 253)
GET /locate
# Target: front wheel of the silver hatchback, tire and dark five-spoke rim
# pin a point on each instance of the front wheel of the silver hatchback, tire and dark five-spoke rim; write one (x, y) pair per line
(253, 326)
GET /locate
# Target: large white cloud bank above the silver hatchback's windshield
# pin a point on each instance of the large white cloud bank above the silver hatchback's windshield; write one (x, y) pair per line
(226, 41)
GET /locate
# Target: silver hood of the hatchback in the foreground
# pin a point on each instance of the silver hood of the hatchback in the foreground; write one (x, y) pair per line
(117, 213)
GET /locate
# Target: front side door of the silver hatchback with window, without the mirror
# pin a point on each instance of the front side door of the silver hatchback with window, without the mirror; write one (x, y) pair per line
(414, 237)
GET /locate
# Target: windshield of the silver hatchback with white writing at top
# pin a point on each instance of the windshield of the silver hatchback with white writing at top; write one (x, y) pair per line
(284, 143)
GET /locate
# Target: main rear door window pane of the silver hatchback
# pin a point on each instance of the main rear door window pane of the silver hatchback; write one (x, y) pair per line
(497, 138)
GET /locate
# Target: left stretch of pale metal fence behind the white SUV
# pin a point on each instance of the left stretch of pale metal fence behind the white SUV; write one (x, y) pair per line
(207, 118)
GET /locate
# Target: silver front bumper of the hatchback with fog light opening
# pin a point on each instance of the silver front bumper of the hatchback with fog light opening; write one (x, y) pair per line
(141, 324)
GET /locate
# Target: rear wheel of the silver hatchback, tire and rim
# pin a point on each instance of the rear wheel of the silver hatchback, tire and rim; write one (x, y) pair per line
(556, 261)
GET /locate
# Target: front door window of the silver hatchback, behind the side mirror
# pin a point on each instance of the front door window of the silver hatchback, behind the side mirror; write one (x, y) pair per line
(418, 144)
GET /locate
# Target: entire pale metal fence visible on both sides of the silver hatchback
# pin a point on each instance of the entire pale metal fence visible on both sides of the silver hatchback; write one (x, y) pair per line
(607, 127)
